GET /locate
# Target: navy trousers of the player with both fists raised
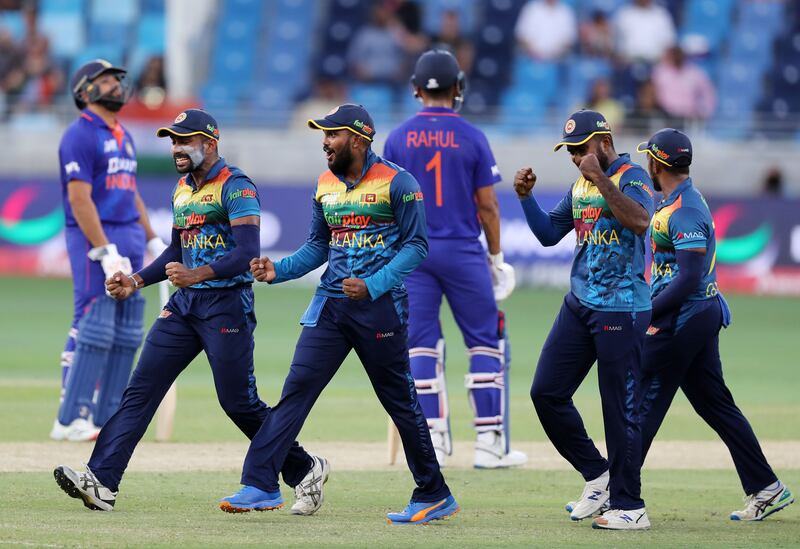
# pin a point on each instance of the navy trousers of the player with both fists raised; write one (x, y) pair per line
(579, 337)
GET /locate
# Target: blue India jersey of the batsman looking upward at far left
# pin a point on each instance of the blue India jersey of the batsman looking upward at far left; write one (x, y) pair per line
(104, 157)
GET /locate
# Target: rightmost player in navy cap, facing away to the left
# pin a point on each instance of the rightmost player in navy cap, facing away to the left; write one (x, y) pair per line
(682, 344)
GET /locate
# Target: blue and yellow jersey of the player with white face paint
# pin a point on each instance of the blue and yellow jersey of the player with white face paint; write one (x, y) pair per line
(203, 215)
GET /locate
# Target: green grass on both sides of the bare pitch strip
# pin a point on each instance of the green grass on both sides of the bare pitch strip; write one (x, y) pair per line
(500, 508)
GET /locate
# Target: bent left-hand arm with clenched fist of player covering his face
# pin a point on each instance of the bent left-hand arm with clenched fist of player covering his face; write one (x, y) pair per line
(548, 227)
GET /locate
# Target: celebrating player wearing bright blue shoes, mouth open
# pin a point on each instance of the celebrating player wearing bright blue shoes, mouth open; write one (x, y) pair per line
(368, 224)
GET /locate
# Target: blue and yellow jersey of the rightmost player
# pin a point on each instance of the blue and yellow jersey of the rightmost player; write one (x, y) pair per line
(683, 221)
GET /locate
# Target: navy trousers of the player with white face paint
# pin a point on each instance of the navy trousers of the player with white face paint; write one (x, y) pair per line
(219, 322)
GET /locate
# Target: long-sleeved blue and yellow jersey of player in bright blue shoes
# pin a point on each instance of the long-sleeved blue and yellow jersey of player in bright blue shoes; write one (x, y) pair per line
(373, 229)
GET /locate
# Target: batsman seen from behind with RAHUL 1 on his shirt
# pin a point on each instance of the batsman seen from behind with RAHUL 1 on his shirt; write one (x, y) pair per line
(457, 172)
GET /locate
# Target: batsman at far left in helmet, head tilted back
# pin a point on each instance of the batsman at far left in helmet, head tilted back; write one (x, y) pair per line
(106, 230)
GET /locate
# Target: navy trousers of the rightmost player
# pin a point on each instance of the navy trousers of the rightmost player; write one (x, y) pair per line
(689, 359)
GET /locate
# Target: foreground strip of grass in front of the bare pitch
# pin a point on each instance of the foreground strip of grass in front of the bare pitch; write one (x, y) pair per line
(499, 508)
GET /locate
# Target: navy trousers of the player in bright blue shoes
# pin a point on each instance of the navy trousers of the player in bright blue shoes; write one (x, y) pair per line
(377, 332)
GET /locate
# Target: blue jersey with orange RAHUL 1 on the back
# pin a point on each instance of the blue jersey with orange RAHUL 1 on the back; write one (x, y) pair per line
(451, 160)
